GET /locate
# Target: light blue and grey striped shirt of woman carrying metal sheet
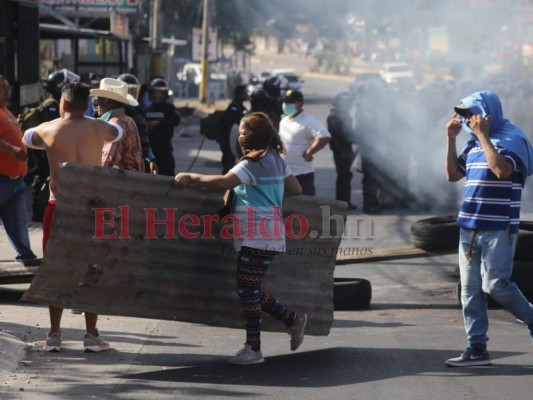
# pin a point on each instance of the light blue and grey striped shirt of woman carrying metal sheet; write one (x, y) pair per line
(258, 201)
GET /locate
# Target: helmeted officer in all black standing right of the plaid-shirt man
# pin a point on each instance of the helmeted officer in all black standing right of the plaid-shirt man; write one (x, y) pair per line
(161, 135)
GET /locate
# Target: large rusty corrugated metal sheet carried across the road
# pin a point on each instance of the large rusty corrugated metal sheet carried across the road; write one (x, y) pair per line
(172, 278)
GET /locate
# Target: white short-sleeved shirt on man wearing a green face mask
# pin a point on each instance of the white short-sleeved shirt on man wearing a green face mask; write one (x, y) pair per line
(298, 134)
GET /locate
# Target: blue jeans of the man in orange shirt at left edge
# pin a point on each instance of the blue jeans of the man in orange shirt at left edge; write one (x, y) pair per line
(13, 214)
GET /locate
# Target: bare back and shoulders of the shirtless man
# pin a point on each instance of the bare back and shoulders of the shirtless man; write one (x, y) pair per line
(73, 139)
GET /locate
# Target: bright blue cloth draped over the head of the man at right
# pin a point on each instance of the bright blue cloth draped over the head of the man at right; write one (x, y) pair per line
(502, 133)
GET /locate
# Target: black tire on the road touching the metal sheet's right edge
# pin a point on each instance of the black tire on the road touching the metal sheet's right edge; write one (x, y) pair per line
(351, 294)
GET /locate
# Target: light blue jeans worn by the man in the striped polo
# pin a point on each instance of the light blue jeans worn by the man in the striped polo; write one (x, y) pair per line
(488, 271)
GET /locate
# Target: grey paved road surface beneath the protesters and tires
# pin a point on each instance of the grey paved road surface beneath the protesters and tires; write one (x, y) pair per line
(394, 350)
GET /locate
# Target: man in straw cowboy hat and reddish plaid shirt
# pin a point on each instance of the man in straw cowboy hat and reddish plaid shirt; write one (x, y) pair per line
(111, 98)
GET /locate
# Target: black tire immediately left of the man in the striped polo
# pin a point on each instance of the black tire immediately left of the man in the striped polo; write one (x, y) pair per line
(436, 233)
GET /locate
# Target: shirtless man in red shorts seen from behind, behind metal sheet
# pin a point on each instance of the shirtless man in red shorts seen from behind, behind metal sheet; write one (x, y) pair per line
(73, 138)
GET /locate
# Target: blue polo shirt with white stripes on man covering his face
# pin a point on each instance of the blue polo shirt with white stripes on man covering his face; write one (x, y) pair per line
(490, 203)
